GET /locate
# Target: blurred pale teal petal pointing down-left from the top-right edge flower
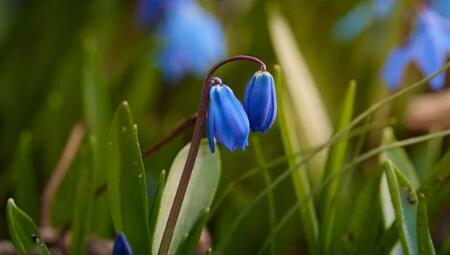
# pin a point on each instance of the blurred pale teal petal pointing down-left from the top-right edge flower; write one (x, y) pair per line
(354, 22)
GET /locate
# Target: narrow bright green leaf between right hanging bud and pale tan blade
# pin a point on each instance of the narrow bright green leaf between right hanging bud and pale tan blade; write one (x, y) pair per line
(299, 176)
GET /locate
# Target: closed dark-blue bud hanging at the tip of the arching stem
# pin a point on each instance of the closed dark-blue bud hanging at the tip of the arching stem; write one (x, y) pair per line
(260, 101)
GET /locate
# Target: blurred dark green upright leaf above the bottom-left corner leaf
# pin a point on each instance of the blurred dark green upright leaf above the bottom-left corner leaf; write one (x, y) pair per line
(25, 187)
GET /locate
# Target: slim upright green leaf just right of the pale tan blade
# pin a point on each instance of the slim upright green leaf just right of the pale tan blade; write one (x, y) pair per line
(335, 161)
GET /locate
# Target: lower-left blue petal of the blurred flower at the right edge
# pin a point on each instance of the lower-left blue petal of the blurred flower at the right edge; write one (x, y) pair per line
(395, 66)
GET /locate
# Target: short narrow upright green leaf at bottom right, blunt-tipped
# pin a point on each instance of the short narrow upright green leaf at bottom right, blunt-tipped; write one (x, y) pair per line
(423, 232)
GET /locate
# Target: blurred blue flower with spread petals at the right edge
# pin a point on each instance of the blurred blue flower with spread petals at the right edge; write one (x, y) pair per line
(428, 47)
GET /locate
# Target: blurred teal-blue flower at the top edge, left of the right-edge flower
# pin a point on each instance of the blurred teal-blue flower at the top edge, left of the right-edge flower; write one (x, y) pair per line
(360, 17)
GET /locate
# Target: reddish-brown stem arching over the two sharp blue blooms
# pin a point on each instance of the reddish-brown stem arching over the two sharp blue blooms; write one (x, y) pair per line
(193, 150)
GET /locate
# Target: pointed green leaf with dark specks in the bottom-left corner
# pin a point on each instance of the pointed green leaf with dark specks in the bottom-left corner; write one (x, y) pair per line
(24, 232)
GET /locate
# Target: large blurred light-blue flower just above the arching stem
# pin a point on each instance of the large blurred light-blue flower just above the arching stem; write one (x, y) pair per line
(192, 41)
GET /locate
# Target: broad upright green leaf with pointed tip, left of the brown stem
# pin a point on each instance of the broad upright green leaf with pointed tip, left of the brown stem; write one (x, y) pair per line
(127, 188)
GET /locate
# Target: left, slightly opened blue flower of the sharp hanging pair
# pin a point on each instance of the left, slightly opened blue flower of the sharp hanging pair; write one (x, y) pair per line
(227, 120)
